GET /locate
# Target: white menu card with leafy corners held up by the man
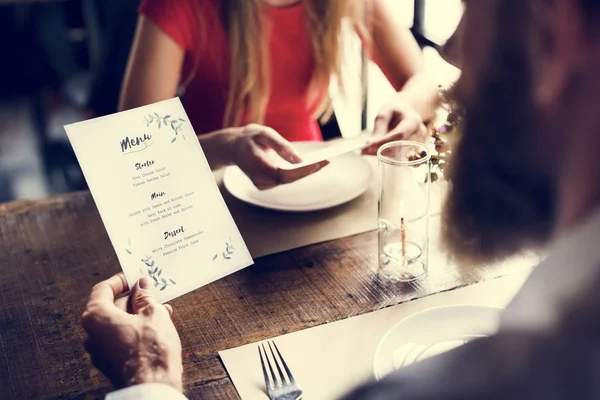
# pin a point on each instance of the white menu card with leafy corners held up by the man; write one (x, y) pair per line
(158, 198)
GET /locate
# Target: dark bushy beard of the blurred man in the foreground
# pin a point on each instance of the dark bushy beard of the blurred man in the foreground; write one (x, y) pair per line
(500, 201)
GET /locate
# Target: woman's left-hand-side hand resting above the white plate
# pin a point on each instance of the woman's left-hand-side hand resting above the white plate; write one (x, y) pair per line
(252, 150)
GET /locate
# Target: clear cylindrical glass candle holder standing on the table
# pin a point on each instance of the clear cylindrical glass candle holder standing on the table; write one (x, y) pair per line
(403, 219)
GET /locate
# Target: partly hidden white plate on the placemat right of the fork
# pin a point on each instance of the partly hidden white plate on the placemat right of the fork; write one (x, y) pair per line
(433, 332)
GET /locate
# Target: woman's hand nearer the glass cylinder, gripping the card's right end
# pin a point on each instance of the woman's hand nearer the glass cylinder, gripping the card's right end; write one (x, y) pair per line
(397, 120)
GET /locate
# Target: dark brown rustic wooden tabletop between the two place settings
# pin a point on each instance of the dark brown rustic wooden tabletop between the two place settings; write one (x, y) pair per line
(53, 251)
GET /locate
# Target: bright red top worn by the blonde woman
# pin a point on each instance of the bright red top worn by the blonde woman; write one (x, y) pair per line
(289, 110)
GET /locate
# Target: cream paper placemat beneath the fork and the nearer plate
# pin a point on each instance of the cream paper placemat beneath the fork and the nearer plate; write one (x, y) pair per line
(329, 360)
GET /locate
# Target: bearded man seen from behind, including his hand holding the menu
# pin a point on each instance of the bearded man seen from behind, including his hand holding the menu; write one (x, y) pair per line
(525, 174)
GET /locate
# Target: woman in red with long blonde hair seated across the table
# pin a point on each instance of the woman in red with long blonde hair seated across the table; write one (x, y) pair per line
(255, 73)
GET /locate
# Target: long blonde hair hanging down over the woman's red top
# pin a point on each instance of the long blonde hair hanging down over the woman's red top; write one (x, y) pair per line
(249, 83)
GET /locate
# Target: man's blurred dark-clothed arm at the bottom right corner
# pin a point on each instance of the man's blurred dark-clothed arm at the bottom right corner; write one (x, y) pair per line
(505, 366)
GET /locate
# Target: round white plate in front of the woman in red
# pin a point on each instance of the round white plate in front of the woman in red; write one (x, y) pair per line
(344, 179)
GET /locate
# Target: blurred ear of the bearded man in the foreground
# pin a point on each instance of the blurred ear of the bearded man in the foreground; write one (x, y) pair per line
(557, 48)
